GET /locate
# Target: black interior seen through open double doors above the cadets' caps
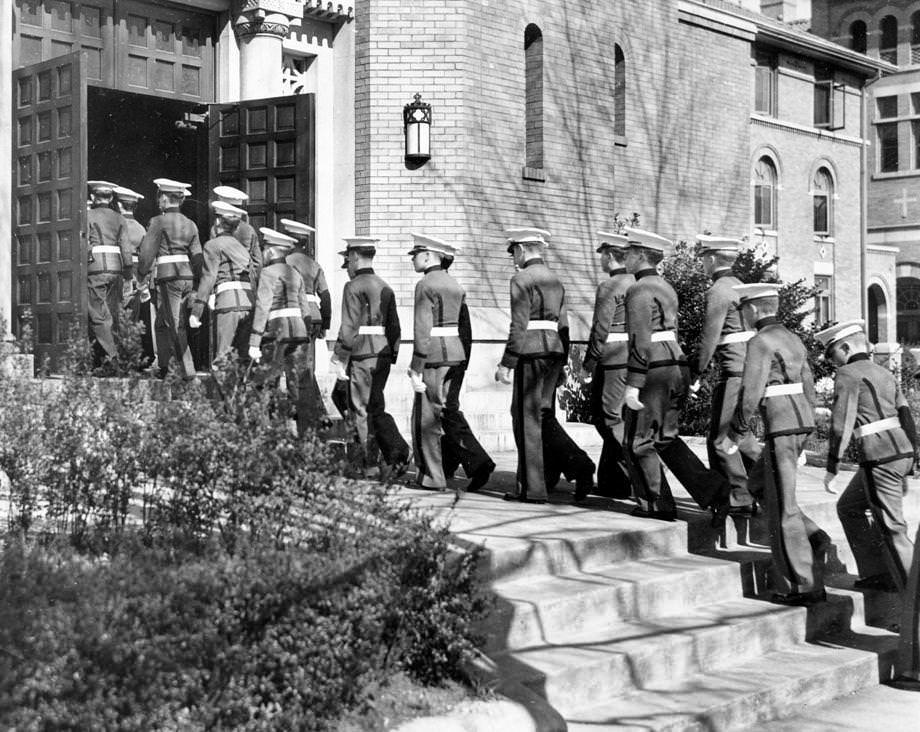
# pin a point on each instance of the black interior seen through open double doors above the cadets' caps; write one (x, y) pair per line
(134, 138)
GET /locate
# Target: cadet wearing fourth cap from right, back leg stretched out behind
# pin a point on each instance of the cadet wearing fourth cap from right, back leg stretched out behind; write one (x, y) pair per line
(656, 384)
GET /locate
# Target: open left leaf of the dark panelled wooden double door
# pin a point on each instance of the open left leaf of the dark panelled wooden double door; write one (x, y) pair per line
(49, 259)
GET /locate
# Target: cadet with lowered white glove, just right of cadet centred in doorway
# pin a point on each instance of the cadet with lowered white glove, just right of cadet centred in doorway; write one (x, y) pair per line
(225, 272)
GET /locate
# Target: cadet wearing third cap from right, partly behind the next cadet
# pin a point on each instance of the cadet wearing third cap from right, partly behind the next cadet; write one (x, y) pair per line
(725, 337)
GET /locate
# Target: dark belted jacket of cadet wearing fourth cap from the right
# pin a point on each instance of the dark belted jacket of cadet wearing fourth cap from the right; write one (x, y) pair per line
(651, 307)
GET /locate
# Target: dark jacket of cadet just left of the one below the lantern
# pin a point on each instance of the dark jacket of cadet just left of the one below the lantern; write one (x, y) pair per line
(368, 301)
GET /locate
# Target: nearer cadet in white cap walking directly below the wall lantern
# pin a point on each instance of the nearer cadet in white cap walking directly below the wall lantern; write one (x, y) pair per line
(438, 349)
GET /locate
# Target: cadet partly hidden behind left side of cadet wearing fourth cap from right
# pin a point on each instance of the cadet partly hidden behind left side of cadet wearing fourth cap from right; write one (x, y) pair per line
(605, 360)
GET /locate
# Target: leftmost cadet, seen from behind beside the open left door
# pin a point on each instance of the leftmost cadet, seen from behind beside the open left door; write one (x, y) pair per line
(109, 263)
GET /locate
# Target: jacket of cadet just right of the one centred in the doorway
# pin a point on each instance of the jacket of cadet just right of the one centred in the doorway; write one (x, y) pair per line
(225, 261)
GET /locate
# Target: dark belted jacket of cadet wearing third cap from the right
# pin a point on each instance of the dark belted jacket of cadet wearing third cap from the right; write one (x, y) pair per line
(723, 318)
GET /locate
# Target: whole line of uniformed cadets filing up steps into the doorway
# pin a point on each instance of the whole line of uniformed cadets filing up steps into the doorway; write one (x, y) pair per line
(273, 302)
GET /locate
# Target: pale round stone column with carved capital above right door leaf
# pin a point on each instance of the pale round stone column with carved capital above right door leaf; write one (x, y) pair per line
(261, 28)
